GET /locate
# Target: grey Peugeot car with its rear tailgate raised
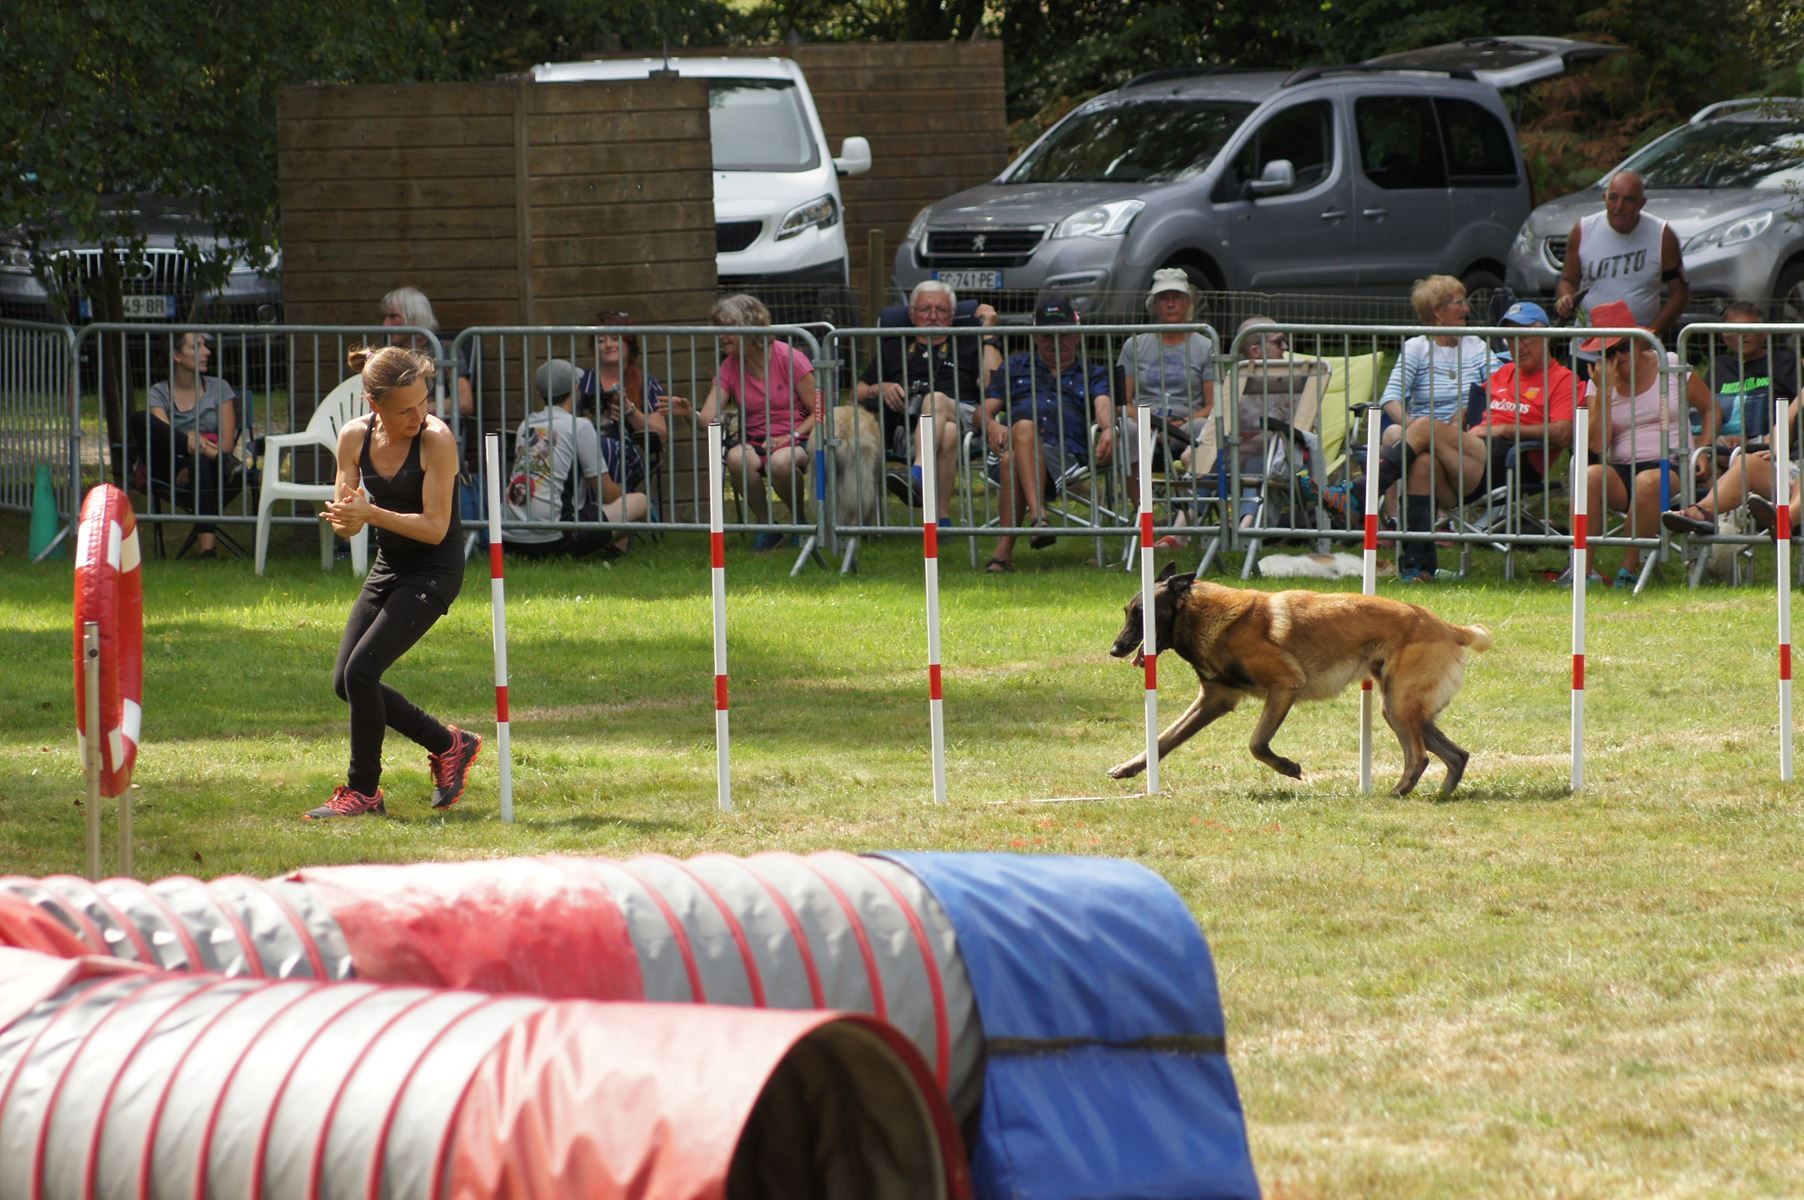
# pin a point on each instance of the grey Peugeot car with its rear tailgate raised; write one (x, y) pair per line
(1329, 180)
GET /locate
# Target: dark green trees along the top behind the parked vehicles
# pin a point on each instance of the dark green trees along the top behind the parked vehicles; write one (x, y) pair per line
(181, 102)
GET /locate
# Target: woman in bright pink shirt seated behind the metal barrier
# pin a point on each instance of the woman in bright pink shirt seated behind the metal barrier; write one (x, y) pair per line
(773, 387)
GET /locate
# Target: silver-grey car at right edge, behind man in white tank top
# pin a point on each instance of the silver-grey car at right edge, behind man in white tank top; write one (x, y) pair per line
(1729, 183)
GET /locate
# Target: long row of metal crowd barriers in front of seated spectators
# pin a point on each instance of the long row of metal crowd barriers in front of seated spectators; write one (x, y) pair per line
(1291, 405)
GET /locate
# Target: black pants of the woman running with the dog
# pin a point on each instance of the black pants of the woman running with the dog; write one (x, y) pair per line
(380, 631)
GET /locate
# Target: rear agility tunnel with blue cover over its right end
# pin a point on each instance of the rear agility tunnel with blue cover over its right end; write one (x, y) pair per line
(1067, 1008)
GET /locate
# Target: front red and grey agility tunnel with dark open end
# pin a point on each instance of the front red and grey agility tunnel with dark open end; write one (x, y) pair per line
(124, 1082)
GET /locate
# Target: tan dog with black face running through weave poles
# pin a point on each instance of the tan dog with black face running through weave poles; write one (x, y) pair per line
(1293, 647)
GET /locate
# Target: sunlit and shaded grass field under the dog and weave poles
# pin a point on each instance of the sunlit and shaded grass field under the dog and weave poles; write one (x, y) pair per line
(1516, 993)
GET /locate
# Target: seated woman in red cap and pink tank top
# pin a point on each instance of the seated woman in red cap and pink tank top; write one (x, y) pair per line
(1644, 427)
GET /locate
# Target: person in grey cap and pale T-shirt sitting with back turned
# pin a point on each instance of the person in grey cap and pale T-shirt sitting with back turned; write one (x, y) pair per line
(560, 470)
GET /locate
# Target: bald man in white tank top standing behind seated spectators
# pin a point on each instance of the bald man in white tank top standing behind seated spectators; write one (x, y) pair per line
(1625, 255)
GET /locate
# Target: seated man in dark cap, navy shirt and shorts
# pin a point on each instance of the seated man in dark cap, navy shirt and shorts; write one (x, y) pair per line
(1051, 398)
